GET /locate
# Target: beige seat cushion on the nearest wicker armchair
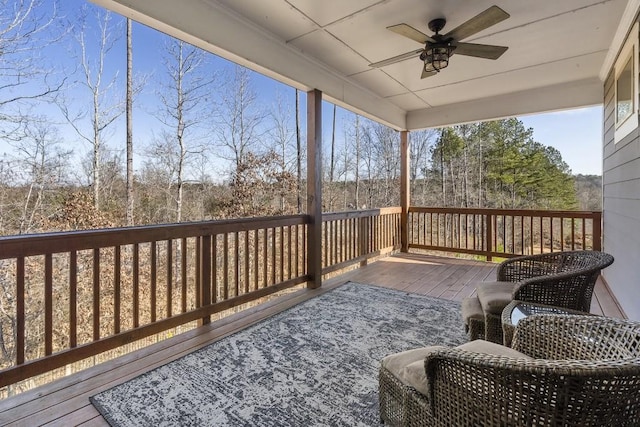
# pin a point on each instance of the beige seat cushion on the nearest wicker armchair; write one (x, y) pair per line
(408, 366)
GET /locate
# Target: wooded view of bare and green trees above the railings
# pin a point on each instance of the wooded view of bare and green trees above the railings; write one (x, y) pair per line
(73, 158)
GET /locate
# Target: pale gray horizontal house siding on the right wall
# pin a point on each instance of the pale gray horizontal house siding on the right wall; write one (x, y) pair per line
(621, 209)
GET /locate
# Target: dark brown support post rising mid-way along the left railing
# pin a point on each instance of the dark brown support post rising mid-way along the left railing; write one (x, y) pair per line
(314, 187)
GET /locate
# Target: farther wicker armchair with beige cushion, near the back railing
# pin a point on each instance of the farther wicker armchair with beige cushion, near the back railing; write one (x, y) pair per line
(561, 279)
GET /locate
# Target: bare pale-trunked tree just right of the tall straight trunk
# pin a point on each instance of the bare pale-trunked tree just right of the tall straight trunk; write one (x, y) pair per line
(184, 99)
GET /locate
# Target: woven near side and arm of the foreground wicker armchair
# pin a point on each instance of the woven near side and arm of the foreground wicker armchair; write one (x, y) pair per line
(480, 389)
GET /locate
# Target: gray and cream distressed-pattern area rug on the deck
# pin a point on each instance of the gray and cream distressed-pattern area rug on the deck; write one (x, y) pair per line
(313, 364)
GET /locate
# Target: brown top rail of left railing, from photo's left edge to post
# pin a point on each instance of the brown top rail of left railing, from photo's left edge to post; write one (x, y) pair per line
(66, 241)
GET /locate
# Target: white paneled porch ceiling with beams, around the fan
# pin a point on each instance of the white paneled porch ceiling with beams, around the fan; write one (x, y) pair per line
(557, 49)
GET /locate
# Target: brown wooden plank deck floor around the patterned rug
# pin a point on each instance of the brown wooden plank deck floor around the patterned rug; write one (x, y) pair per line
(66, 401)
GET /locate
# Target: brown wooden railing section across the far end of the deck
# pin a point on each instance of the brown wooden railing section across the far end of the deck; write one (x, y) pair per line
(502, 232)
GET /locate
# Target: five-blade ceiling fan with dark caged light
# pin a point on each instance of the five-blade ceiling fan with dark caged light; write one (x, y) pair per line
(439, 47)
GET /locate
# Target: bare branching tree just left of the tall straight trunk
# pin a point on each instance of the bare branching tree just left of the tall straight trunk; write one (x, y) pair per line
(106, 105)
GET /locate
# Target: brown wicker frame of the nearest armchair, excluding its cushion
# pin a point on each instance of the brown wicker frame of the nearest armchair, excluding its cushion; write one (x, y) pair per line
(582, 370)
